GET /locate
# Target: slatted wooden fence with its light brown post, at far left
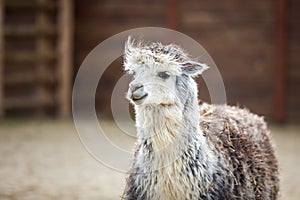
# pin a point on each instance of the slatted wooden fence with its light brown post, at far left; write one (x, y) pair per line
(36, 54)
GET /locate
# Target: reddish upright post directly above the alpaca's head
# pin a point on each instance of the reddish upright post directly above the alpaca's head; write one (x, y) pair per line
(172, 14)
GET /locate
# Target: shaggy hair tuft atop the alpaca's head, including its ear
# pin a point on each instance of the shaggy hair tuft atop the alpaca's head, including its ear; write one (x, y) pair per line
(137, 52)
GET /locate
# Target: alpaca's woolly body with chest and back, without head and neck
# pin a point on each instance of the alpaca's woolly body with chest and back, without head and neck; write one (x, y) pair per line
(230, 159)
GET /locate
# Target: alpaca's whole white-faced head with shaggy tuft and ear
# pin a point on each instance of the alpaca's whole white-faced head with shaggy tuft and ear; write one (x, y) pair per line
(162, 74)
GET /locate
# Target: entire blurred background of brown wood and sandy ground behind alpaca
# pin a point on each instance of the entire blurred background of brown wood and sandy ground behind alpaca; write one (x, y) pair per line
(255, 44)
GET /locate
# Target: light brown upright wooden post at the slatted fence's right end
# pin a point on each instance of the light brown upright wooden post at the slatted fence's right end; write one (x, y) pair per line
(65, 56)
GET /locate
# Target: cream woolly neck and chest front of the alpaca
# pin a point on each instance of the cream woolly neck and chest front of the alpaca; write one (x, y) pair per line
(168, 138)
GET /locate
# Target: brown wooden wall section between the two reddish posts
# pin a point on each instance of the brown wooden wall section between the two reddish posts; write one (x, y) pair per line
(239, 35)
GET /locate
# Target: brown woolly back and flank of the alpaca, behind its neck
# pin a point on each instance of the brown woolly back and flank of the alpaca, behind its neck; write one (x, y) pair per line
(243, 142)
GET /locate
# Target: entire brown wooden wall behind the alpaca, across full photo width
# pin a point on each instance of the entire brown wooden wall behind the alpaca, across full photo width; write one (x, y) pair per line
(240, 36)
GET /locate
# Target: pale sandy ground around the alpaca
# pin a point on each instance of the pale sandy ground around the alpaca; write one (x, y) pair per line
(46, 160)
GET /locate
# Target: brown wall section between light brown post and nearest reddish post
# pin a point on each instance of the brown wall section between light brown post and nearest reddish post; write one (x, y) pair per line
(98, 20)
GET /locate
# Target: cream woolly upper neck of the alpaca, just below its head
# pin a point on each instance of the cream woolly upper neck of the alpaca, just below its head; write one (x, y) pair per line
(168, 128)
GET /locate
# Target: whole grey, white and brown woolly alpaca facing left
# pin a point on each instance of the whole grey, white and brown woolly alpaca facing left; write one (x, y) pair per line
(189, 151)
